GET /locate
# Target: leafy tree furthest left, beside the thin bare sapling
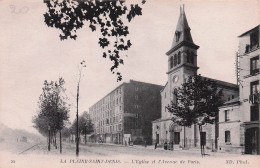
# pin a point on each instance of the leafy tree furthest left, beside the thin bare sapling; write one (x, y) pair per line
(52, 109)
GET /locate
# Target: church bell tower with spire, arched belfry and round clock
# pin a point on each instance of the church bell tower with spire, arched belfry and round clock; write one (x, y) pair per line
(182, 56)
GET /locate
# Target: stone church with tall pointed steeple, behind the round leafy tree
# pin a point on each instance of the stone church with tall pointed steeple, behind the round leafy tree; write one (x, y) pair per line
(182, 63)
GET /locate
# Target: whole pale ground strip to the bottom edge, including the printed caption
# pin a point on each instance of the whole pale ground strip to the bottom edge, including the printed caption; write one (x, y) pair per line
(104, 155)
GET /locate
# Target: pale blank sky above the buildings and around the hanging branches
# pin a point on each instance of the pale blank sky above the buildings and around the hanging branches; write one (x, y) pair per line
(31, 52)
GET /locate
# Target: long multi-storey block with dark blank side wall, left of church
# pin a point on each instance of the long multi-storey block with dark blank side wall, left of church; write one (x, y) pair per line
(125, 114)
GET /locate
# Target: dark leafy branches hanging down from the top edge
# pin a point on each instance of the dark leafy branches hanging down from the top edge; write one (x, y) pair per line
(107, 15)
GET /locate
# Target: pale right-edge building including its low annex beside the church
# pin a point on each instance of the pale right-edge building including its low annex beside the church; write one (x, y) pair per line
(239, 118)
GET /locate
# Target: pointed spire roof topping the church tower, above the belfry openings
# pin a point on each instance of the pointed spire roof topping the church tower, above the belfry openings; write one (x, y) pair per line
(182, 34)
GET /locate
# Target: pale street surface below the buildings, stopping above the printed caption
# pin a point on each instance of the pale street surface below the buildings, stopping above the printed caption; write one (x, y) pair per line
(105, 149)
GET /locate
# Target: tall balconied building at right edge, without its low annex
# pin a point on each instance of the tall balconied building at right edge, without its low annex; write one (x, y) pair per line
(249, 52)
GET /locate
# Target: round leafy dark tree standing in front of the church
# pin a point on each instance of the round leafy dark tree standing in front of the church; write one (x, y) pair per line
(196, 102)
